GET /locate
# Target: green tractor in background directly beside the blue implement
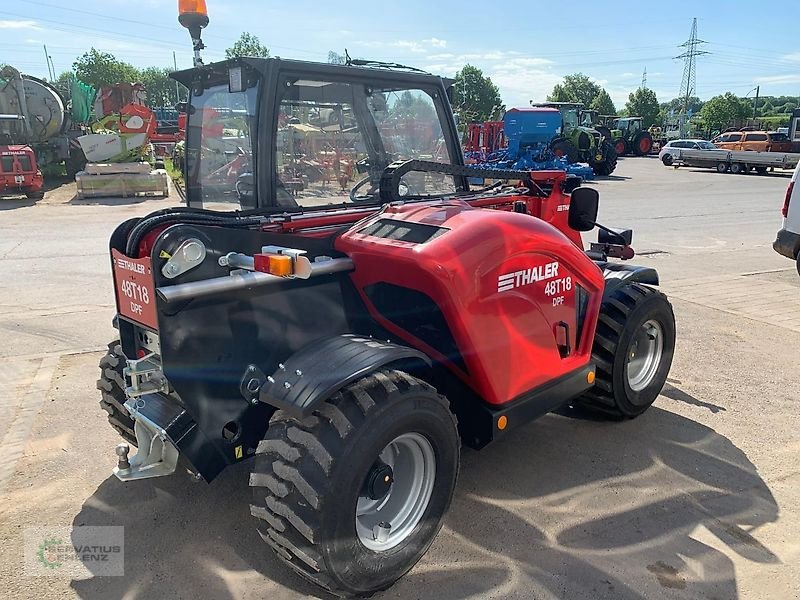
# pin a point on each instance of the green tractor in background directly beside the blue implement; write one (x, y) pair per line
(579, 141)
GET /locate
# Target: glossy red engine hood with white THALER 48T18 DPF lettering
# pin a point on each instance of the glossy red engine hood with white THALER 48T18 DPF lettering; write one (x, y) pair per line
(505, 283)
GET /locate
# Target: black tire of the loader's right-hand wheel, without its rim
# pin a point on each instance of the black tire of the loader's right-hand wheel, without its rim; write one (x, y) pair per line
(621, 314)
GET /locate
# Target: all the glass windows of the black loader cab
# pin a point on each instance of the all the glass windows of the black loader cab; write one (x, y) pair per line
(332, 141)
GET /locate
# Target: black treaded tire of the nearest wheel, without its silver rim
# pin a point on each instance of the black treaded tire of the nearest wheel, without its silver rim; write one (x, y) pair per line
(308, 474)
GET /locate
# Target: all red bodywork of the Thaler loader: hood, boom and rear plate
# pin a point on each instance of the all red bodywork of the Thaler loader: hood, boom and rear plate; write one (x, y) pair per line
(506, 283)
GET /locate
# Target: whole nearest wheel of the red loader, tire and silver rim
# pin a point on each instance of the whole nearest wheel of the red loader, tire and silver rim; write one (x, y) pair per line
(352, 496)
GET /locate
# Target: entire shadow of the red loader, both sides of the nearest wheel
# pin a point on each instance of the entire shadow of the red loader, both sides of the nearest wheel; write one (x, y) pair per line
(563, 507)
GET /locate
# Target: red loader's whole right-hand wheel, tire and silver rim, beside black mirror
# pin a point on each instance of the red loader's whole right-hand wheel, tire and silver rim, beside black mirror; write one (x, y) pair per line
(633, 350)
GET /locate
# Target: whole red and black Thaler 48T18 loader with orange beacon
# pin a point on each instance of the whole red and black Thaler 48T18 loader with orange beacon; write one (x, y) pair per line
(347, 349)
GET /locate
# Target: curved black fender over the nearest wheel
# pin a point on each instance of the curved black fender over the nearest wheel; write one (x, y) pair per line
(316, 372)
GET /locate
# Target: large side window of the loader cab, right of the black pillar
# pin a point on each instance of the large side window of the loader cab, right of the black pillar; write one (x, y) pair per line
(334, 140)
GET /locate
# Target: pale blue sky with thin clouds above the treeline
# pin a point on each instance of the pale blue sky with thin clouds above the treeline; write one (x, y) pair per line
(525, 47)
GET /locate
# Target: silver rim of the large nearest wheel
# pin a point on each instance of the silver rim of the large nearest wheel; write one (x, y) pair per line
(383, 523)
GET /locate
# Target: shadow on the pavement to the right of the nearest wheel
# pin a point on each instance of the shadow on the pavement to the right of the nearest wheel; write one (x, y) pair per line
(579, 508)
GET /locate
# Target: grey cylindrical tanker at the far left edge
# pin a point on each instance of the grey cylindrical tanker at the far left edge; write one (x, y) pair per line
(33, 113)
